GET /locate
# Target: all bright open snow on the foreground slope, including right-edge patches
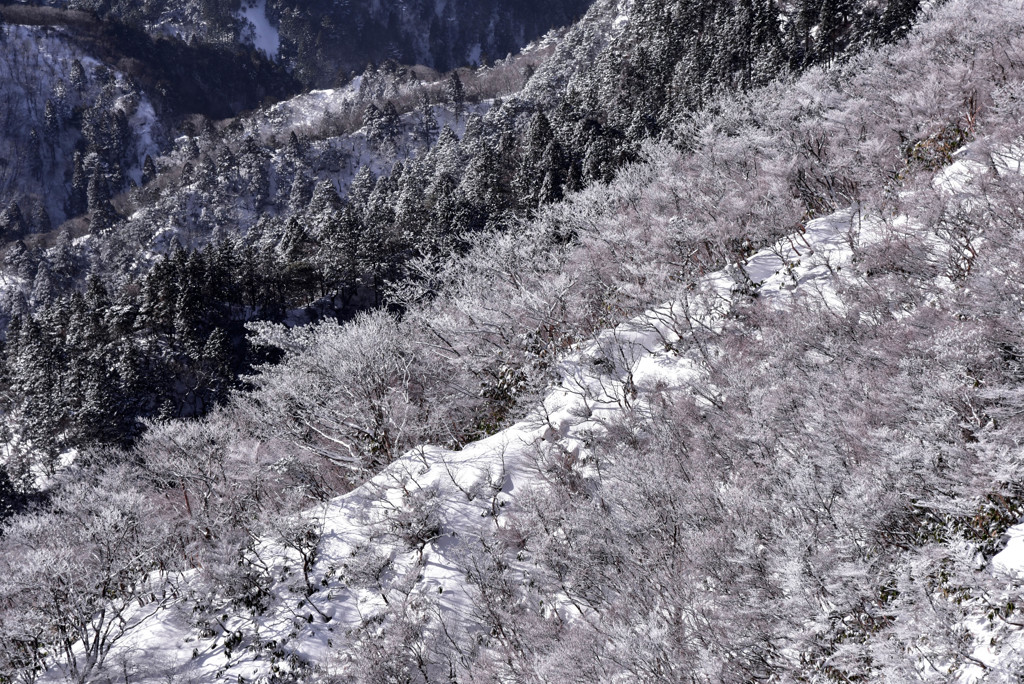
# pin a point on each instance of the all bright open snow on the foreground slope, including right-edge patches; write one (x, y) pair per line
(410, 540)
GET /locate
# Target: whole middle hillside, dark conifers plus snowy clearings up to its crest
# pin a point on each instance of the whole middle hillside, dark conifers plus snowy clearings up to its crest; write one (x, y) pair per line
(243, 220)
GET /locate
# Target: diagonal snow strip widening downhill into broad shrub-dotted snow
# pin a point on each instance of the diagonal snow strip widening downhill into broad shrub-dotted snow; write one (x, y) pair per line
(417, 542)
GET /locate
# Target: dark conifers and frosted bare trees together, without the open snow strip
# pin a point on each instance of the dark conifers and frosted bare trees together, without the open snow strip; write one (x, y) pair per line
(433, 281)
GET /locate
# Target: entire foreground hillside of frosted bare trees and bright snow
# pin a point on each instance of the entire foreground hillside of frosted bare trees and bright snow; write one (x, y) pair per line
(797, 460)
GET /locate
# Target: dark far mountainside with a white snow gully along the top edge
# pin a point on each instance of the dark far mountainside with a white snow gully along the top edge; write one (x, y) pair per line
(324, 42)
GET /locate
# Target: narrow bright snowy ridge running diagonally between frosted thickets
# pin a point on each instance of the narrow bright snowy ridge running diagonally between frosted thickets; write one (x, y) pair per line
(403, 536)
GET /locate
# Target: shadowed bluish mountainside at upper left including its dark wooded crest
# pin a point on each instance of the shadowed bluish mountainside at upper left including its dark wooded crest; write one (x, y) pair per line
(77, 96)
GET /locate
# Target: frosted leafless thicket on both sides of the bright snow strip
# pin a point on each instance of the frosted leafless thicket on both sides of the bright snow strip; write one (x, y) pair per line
(817, 521)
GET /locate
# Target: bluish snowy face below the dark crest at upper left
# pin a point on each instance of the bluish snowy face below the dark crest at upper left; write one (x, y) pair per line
(56, 99)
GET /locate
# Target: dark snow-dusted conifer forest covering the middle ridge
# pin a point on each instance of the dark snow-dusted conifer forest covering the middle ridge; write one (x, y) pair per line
(277, 236)
